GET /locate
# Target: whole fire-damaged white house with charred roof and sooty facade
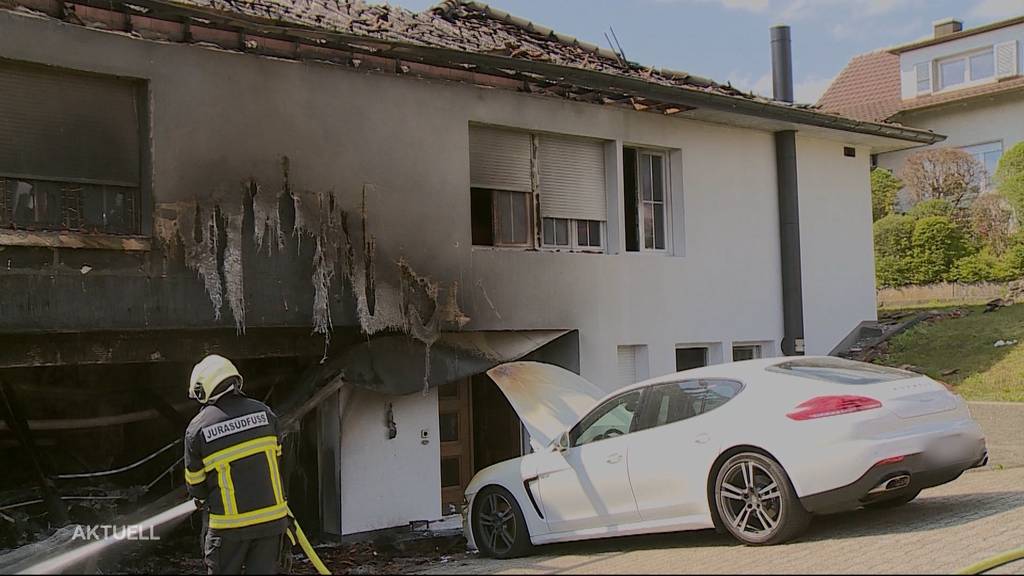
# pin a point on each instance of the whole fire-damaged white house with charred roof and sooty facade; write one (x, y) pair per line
(435, 192)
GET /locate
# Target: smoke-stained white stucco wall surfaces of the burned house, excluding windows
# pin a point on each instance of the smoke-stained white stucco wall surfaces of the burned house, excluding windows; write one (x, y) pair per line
(234, 116)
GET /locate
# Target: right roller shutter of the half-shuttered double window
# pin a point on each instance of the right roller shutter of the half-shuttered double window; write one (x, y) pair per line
(572, 179)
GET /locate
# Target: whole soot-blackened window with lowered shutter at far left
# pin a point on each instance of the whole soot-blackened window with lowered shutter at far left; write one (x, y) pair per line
(70, 151)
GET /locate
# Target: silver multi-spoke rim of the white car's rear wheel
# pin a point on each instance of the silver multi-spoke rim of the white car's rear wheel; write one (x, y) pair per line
(751, 500)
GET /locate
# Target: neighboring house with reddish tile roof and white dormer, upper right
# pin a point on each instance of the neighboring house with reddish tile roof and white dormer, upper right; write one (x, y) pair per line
(966, 85)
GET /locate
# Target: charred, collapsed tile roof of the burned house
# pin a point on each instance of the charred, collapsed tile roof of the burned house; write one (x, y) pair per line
(470, 36)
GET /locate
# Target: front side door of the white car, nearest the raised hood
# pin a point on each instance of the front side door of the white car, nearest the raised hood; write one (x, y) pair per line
(587, 485)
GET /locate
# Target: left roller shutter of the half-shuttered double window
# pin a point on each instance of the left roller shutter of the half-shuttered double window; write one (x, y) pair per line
(500, 159)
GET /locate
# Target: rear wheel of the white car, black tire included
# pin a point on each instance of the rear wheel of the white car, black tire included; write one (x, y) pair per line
(756, 502)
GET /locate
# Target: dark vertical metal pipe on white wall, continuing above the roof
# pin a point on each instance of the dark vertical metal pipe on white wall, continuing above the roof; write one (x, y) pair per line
(789, 202)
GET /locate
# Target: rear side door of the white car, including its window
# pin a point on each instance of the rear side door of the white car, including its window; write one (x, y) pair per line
(674, 447)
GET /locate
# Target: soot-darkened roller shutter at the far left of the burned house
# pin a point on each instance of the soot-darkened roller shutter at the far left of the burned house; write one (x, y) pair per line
(67, 127)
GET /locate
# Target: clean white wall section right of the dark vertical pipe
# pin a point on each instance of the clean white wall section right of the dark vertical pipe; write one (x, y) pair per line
(836, 241)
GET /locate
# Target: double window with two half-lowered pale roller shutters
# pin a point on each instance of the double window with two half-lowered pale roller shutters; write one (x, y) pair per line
(568, 175)
